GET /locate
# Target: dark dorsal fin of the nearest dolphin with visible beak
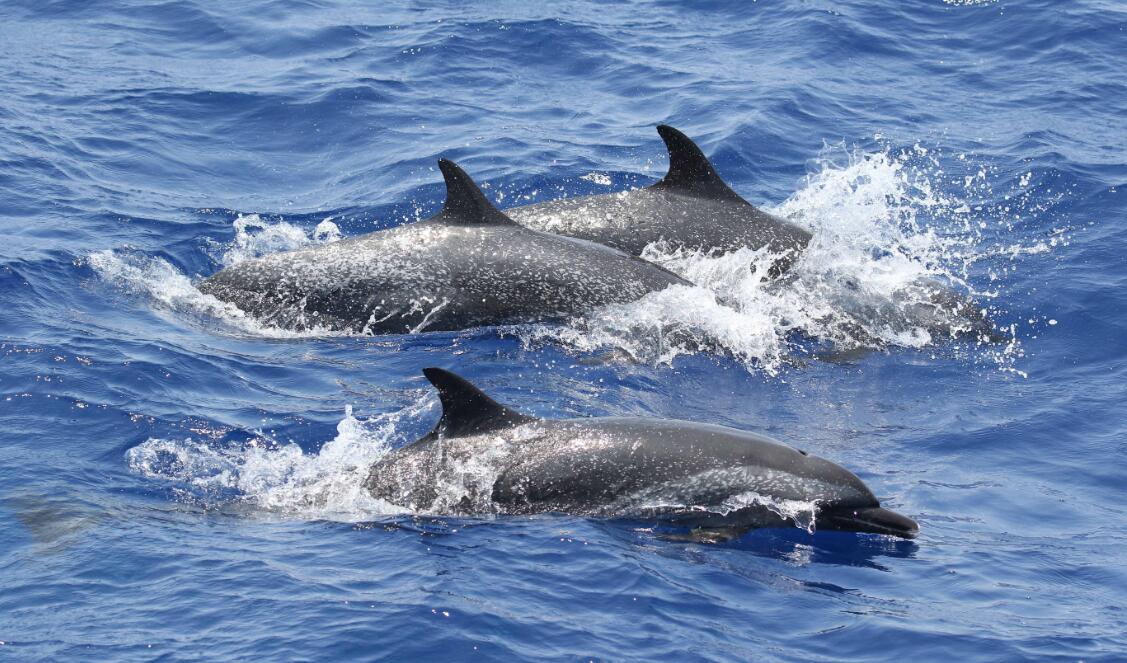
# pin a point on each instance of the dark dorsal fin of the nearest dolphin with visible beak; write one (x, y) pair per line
(466, 410)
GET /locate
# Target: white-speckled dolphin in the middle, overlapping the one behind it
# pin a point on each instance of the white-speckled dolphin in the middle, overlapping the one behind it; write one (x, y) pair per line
(467, 267)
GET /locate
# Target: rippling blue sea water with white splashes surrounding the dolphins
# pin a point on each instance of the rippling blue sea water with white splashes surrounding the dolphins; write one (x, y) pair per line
(179, 483)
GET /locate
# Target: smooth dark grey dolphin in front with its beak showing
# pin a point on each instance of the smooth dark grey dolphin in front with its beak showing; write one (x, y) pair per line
(682, 473)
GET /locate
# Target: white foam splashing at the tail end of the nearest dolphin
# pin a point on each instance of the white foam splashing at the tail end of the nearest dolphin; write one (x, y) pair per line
(265, 476)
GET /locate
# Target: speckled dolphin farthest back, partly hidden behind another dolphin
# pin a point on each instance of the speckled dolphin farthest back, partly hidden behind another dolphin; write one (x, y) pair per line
(691, 208)
